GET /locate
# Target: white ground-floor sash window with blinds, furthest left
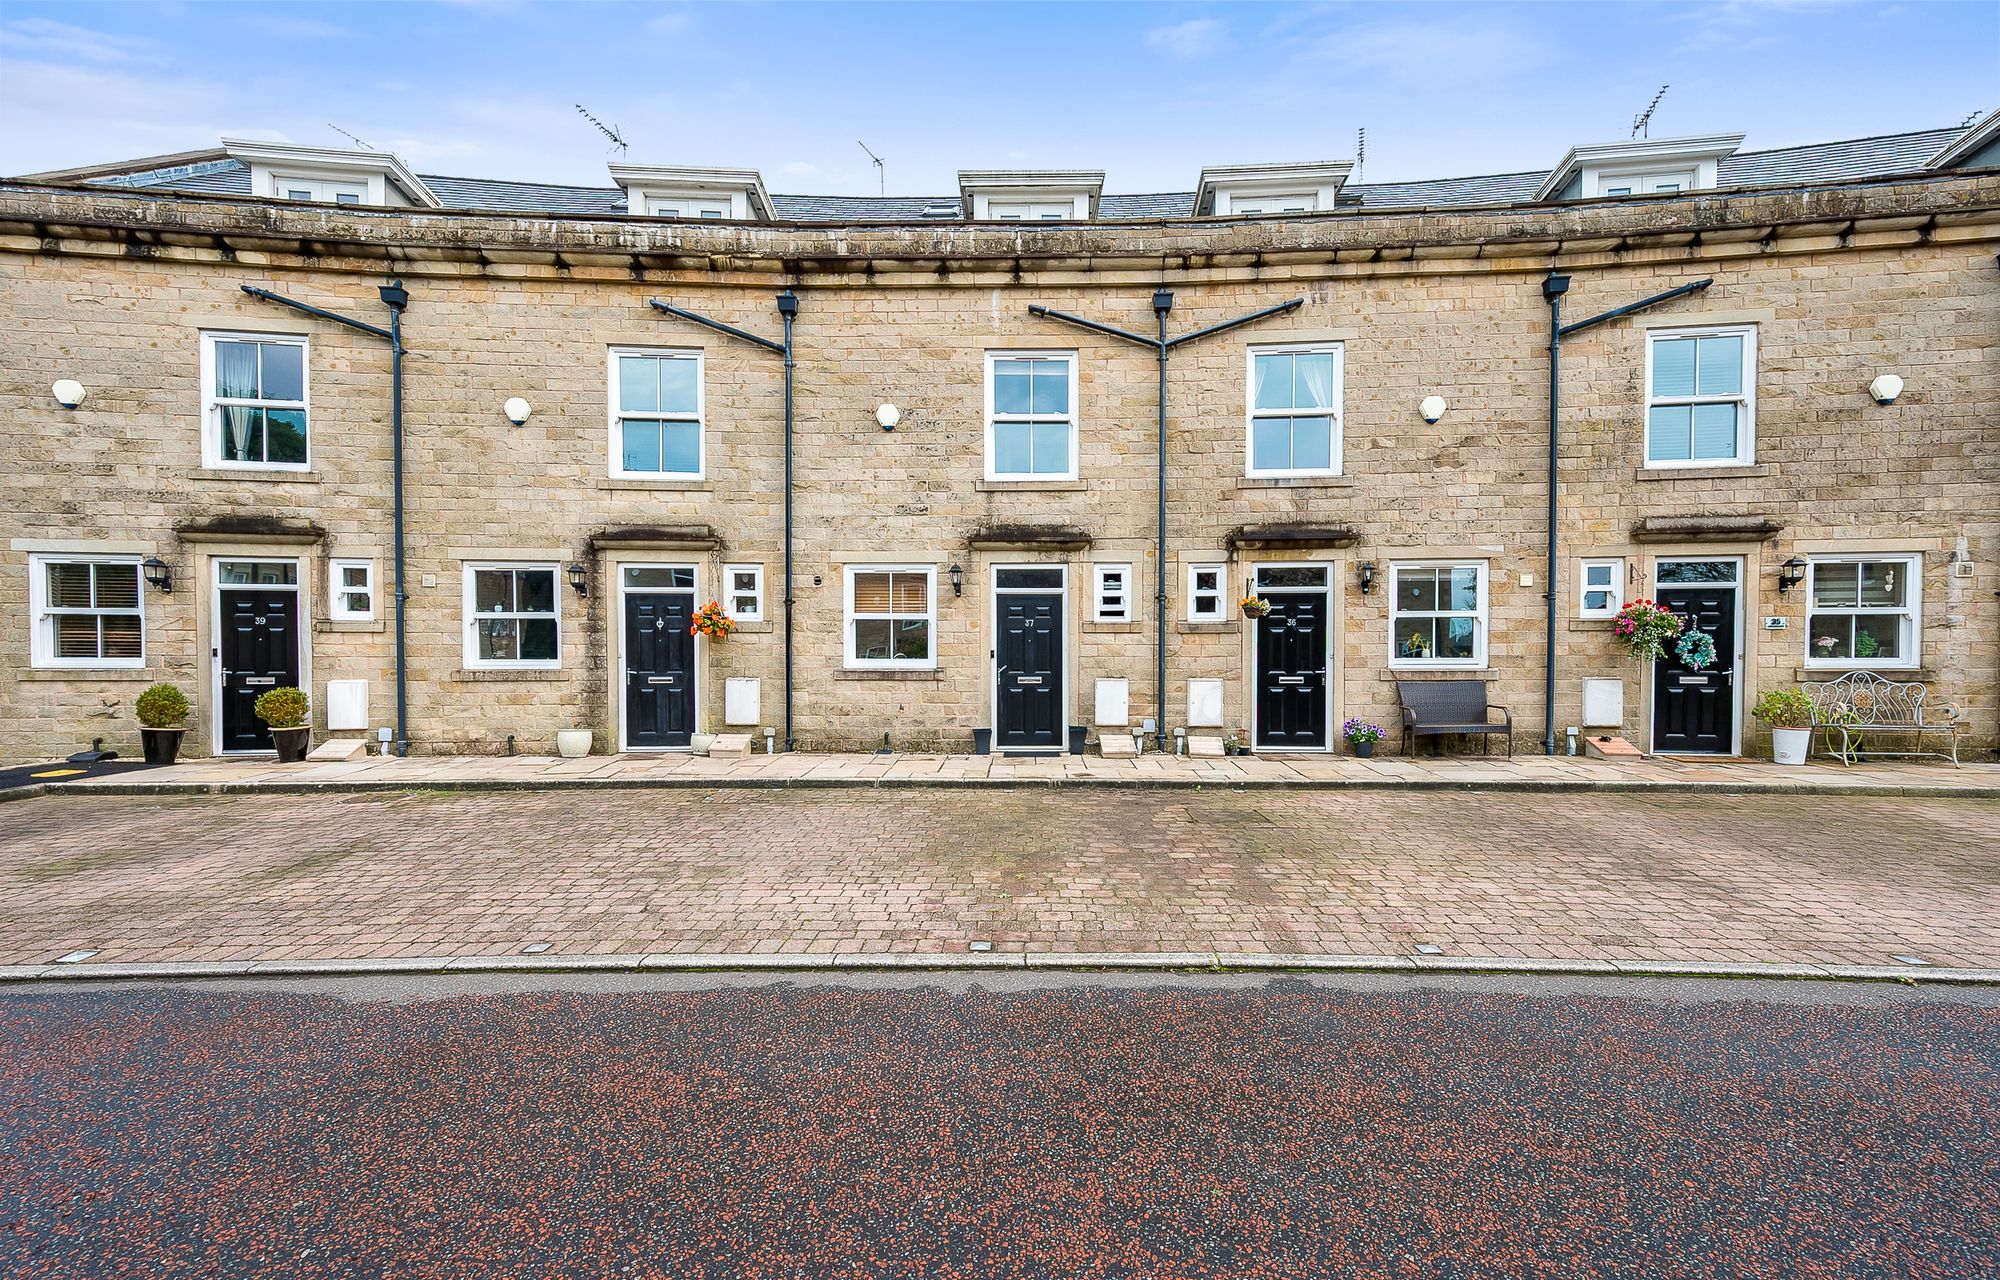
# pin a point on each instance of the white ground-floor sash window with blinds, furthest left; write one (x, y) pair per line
(87, 613)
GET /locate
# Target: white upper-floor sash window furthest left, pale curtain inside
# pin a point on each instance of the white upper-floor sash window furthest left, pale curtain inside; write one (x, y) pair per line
(255, 403)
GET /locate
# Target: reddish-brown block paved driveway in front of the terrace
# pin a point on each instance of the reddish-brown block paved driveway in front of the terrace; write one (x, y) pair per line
(1573, 877)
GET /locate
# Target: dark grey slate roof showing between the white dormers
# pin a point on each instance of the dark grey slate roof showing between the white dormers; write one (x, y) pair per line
(1783, 167)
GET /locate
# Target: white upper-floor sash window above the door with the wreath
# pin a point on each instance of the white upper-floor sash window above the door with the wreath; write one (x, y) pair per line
(1701, 397)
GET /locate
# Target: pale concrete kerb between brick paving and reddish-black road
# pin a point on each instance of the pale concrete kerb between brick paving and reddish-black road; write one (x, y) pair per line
(1191, 963)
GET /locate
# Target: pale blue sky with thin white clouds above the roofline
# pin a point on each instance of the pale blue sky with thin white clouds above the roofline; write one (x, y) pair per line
(1149, 93)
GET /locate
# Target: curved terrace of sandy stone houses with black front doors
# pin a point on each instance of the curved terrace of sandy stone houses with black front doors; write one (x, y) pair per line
(961, 457)
